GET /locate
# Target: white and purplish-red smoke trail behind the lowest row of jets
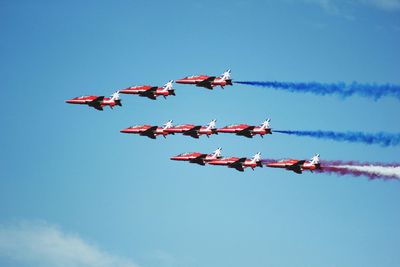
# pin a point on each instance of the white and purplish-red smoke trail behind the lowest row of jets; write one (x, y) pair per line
(370, 170)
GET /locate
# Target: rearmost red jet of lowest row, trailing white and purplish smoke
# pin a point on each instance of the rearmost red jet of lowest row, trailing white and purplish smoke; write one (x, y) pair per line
(297, 165)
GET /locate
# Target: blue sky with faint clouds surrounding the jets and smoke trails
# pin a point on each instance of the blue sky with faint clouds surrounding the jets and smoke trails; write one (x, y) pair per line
(76, 192)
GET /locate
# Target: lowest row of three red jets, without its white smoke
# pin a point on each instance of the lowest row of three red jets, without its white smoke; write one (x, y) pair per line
(242, 163)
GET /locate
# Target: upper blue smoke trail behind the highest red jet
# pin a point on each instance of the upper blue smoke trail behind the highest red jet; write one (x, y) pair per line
(374, 91)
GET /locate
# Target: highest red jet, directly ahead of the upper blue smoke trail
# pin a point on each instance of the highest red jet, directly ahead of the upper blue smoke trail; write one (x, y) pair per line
(208, 82)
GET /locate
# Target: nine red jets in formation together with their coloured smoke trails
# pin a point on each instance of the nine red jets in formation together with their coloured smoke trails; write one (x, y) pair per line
(240, 163)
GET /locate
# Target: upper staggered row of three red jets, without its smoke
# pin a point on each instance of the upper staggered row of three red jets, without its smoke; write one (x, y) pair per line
(152, 92)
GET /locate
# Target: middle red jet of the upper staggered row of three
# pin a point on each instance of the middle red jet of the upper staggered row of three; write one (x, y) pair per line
(151, 92)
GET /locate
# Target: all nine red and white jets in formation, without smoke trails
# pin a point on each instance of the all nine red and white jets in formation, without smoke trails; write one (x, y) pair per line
(195, 131)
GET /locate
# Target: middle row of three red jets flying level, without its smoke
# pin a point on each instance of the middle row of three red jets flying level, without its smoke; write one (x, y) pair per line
(196, 131)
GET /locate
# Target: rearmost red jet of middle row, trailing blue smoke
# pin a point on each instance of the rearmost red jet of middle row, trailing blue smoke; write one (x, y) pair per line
(247, 130)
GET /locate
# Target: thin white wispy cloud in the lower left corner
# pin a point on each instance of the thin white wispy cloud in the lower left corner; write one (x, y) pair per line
(42, 244)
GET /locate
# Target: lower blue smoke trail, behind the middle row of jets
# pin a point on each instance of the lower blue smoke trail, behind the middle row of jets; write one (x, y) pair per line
(383, 139)
